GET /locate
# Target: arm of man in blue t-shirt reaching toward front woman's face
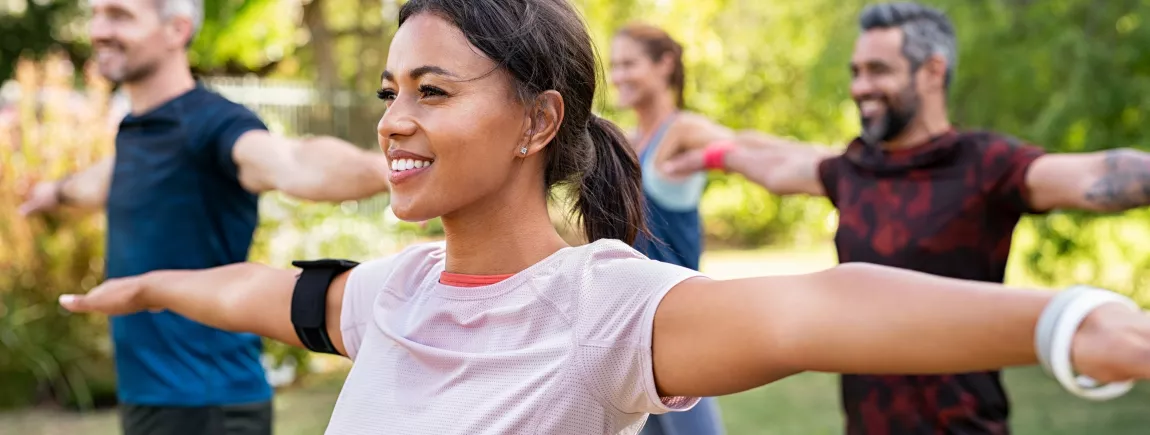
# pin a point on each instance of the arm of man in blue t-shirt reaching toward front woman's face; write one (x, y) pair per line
(323, 169)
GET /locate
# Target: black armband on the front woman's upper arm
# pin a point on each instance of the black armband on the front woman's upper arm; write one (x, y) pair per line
(310, 302)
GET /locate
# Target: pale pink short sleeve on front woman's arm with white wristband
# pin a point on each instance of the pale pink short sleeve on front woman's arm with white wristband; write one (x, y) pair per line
(616, 324)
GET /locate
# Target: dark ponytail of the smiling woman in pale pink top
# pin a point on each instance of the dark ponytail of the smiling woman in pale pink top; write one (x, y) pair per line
(611, 190)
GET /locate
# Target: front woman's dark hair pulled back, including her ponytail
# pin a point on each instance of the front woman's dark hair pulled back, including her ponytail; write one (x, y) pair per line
(545, 45)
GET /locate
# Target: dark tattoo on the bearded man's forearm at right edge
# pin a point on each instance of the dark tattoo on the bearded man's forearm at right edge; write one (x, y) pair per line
(1125, 181)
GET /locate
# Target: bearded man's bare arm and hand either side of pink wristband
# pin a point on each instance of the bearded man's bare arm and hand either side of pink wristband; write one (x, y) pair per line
(780, 166)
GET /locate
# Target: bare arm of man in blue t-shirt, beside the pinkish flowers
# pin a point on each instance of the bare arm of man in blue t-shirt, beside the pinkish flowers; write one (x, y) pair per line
(87, 189)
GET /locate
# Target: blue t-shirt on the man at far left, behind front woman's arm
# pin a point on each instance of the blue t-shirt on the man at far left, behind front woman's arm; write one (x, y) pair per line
(177, 203)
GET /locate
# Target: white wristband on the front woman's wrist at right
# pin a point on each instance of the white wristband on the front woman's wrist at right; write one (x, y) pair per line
(1065, 330)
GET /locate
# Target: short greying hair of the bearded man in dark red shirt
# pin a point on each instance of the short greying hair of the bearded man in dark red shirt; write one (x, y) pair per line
(926, 32)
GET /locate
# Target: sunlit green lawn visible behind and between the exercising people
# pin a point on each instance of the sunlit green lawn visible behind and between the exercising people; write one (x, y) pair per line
(806, 405)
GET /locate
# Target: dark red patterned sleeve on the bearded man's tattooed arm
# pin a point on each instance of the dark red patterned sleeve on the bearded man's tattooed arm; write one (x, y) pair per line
(1006, 163)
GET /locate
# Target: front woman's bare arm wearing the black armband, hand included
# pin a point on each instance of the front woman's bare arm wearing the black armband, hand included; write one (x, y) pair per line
(243, 299)
